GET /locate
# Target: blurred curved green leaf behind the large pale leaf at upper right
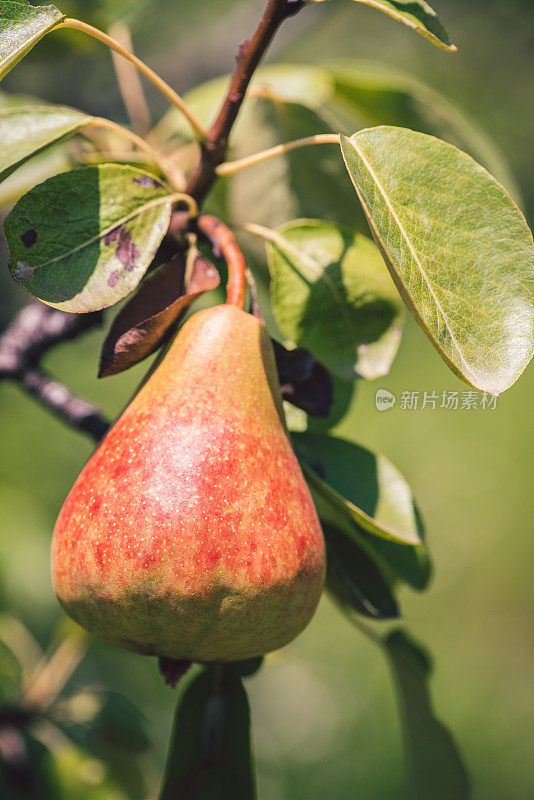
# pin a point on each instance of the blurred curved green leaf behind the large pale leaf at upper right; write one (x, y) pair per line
(369, 93)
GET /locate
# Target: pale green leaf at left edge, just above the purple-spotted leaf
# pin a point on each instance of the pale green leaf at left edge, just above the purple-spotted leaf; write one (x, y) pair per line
(29, 130)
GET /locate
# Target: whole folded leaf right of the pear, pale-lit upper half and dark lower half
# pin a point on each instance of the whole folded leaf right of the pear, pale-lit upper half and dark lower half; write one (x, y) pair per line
(363, 495)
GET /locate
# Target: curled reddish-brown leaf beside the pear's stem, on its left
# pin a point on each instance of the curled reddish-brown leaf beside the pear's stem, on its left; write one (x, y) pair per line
(151, 315)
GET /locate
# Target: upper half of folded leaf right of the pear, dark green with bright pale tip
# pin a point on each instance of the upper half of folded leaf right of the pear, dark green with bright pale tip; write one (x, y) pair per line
(352, 484)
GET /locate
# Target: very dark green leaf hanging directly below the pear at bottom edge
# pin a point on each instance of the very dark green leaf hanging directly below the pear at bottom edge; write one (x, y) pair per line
(210, 751)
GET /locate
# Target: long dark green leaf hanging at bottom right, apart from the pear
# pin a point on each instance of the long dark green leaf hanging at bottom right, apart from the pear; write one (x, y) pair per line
(435, 768)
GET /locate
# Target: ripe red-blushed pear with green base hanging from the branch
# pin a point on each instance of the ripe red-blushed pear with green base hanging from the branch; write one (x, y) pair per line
(191, 533)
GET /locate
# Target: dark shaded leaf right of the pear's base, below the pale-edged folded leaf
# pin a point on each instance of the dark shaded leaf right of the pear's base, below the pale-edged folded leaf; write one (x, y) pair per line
(354, 579)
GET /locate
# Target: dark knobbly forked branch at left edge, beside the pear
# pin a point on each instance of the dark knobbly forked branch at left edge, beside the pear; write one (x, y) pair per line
(34, 331)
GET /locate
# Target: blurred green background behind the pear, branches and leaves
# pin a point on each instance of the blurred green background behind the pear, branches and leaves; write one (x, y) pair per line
(324, 713)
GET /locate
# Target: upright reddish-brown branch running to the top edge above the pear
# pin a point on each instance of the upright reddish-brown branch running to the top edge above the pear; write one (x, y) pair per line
(248, 56)
